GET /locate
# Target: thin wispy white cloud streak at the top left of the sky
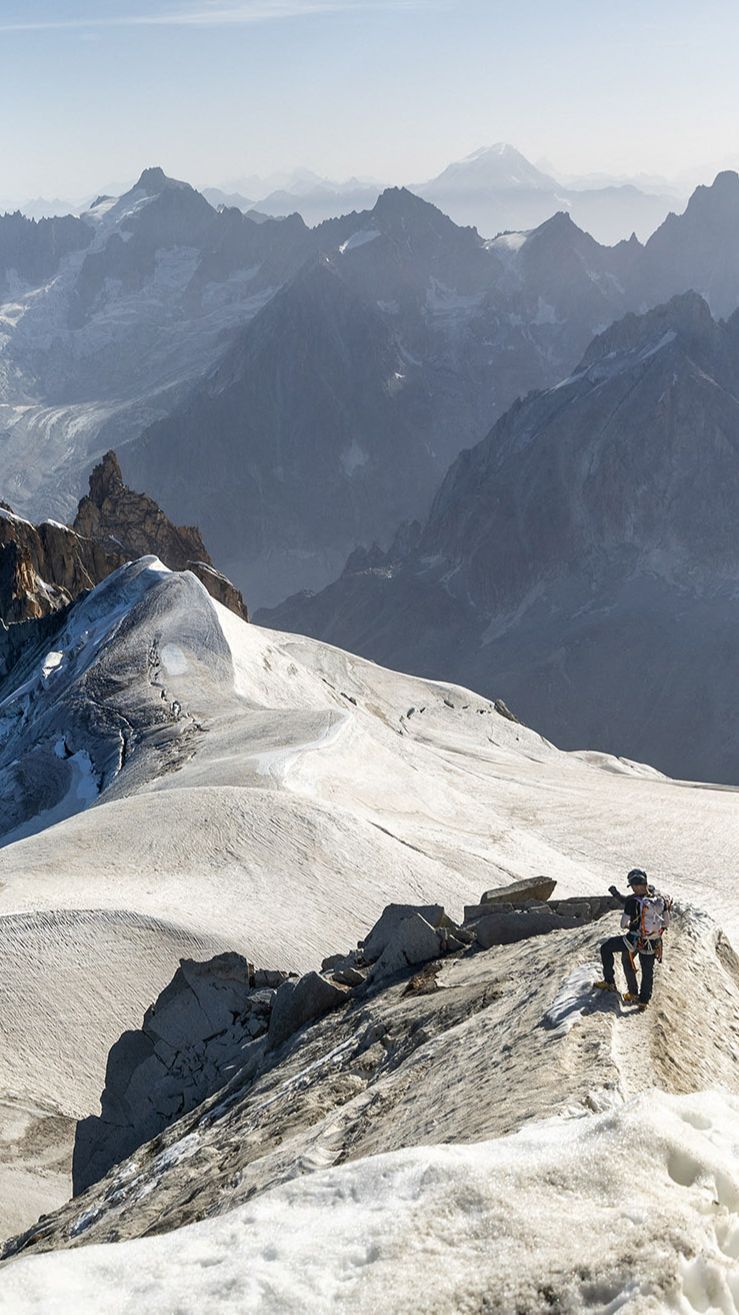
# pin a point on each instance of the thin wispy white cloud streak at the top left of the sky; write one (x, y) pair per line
(220, 16)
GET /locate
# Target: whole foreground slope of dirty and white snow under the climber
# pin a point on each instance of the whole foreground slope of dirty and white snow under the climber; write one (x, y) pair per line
(473, 1053)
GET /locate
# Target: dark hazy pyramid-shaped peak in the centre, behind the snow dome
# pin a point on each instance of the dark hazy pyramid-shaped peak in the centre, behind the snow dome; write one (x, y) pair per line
(322, 423)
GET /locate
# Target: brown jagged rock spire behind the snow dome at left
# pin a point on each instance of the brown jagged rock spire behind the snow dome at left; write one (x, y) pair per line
(135, 525)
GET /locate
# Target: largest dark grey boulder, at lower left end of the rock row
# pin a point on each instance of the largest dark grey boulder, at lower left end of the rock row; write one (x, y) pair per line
(186, 1050)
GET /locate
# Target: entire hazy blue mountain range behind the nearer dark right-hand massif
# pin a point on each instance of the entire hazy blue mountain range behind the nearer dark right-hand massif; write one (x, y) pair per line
(298, 391)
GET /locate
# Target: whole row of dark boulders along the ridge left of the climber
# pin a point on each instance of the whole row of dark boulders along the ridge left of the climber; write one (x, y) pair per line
(198, 1037)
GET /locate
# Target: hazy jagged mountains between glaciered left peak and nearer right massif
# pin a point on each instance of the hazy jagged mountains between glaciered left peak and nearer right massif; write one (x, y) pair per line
(399, 347)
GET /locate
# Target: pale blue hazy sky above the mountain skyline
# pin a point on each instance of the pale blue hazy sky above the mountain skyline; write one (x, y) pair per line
(214, 90)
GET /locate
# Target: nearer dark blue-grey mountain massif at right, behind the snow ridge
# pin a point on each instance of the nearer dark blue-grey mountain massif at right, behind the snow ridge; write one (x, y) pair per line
(582, 561)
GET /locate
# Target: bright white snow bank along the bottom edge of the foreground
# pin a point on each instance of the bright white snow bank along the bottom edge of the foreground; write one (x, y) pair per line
(633, 1210)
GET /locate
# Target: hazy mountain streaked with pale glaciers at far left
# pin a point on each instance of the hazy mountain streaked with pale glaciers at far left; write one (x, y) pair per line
(111, 329)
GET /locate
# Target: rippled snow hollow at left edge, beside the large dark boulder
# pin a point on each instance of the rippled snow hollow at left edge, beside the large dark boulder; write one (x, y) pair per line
(70, 982)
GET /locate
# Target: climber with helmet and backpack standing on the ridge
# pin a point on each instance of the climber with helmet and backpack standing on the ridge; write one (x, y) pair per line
(645, 919)
